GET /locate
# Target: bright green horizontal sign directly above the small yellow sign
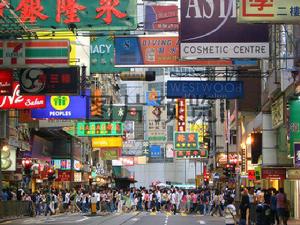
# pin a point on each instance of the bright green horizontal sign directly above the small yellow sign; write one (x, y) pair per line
(100, 129)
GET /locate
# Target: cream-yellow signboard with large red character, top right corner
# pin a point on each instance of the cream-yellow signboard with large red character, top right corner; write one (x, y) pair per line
(268, 11)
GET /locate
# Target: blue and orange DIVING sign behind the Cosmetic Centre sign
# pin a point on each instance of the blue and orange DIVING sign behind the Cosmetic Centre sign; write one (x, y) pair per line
(154, 51)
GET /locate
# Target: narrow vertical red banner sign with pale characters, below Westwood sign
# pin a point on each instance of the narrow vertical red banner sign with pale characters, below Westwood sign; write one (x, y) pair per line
(181, 114)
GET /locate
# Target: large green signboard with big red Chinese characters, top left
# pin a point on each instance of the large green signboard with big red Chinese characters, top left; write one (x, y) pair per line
(77, 14)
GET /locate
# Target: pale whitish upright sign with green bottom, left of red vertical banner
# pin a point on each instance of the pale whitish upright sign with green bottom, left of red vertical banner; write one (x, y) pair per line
(156, 123)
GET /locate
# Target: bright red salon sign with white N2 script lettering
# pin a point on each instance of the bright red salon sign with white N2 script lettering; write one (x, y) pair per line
(17, 101)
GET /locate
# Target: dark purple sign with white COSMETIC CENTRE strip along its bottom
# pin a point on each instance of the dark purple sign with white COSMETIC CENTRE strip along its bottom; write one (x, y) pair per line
(220, 35)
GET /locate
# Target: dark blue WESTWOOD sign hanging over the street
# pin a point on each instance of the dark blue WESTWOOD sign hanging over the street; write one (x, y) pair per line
(205, 89)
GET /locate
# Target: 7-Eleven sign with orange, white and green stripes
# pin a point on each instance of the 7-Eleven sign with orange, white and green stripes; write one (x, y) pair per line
(34, 53)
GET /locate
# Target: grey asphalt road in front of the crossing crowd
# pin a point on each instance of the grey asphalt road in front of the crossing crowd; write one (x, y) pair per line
(123, 219)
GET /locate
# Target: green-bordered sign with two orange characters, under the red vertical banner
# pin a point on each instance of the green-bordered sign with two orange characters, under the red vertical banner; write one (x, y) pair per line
(186, 141)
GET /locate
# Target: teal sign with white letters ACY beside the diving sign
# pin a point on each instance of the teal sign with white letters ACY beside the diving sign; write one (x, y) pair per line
(102, 55)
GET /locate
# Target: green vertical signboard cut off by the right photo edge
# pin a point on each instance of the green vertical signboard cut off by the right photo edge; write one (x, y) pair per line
(294, 124)
